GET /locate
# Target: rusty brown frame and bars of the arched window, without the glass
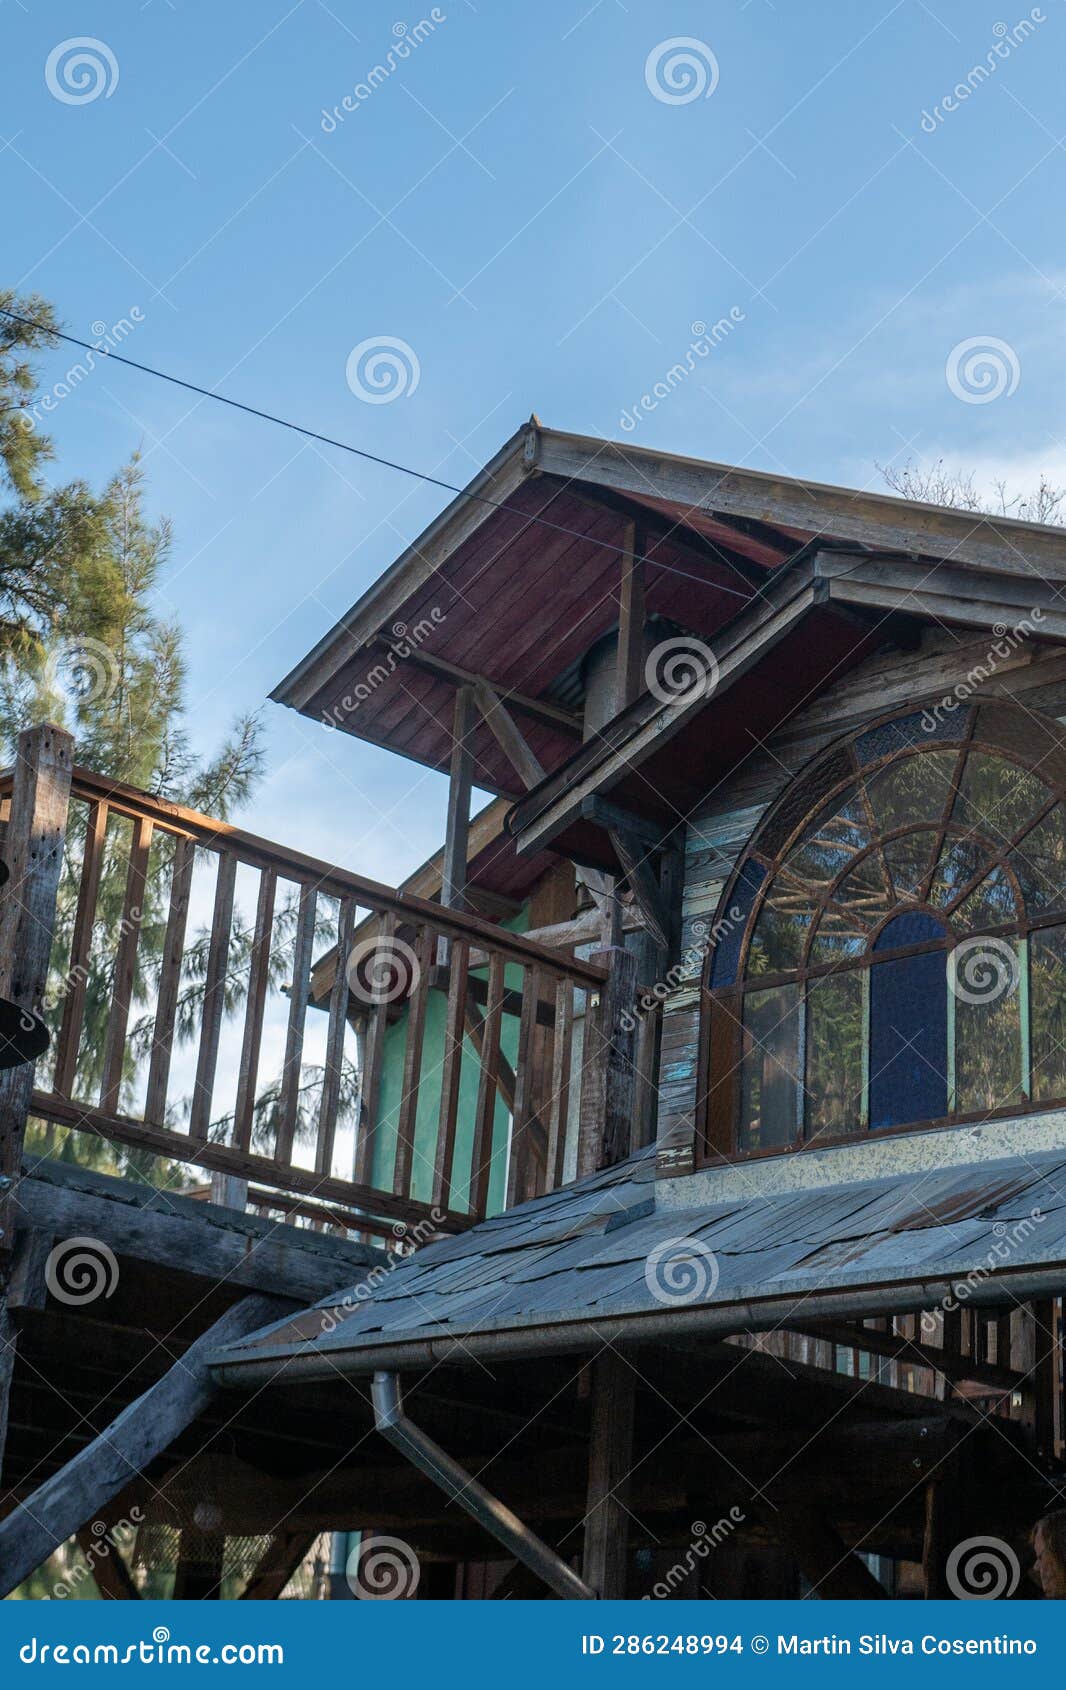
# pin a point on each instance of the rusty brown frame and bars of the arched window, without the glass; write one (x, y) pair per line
(722, 1006)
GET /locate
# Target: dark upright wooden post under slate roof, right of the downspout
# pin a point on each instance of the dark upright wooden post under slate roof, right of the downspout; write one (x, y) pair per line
(611, 1459)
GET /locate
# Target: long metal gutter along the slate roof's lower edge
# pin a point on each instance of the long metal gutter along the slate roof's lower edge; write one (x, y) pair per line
(302, 1363)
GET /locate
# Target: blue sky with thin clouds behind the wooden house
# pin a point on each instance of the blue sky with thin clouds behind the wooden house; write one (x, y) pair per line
(521, 207)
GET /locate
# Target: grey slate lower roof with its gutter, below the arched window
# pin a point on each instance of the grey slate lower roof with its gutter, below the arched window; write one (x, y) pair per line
(599, 1260)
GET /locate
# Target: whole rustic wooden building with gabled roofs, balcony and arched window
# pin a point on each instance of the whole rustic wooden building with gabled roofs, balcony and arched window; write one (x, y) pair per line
(714, 1077)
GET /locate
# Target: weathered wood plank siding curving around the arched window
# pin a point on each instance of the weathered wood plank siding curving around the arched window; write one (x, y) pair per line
(724, 824)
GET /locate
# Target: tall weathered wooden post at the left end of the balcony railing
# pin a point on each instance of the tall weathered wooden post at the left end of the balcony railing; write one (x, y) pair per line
(33, 851)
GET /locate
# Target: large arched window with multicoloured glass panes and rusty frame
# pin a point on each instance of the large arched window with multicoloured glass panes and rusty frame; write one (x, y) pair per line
(891, 949)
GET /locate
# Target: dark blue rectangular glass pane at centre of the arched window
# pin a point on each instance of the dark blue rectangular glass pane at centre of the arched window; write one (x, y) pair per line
(908, 1040)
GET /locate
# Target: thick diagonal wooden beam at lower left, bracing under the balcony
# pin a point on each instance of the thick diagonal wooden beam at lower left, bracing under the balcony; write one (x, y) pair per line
(114, 1459)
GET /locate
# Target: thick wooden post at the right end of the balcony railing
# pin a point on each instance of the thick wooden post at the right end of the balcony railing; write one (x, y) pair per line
(607, 1066)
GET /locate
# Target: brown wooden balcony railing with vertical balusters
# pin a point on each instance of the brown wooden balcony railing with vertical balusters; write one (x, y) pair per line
(183, 952)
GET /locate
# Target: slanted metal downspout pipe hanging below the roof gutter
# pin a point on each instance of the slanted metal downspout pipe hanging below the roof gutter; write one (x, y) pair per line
(482, 1507)
